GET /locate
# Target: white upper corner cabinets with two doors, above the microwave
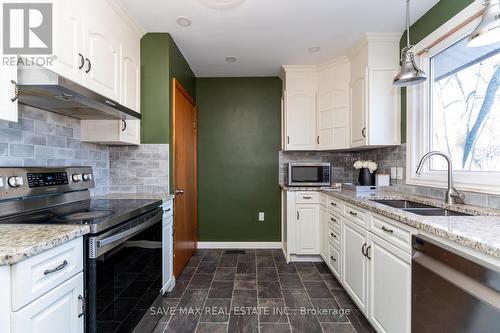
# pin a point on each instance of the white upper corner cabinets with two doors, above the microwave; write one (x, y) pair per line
(316, 109)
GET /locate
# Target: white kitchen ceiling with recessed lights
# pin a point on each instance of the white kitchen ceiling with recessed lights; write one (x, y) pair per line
(265, 34)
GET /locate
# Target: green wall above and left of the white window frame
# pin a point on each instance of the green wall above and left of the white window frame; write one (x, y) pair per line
(430, 21)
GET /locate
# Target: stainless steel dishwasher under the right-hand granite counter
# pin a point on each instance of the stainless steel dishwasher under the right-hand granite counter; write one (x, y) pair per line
(452, 293)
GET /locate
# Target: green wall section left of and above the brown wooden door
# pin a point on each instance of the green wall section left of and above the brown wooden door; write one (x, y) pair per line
(161, 61)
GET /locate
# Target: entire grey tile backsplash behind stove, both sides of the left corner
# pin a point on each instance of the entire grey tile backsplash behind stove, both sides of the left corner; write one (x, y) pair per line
(45, 139)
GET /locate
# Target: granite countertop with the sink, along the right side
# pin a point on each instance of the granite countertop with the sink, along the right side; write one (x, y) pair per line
(480, 232)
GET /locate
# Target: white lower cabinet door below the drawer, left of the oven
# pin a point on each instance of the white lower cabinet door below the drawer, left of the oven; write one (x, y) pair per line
(58, 311)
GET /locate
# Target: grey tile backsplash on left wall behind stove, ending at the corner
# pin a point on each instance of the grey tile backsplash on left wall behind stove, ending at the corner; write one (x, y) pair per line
(45, 139)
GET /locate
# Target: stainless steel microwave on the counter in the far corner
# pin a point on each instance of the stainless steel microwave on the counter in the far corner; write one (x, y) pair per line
(308, 174)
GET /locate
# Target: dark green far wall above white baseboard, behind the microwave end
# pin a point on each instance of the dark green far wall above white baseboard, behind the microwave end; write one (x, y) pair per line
(239, 121)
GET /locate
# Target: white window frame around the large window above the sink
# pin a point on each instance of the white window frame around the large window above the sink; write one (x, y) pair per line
(418, 111)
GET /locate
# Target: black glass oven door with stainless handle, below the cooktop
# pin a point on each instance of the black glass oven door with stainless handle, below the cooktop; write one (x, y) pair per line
(123, 273)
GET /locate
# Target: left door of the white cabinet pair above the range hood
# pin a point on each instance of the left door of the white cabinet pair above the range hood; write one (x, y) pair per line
(69, 60)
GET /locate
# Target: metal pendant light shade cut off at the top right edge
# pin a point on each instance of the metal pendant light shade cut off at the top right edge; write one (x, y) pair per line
(488, 31)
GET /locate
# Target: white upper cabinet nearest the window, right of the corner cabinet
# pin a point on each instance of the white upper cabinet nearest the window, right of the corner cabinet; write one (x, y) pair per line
(375, 102)
